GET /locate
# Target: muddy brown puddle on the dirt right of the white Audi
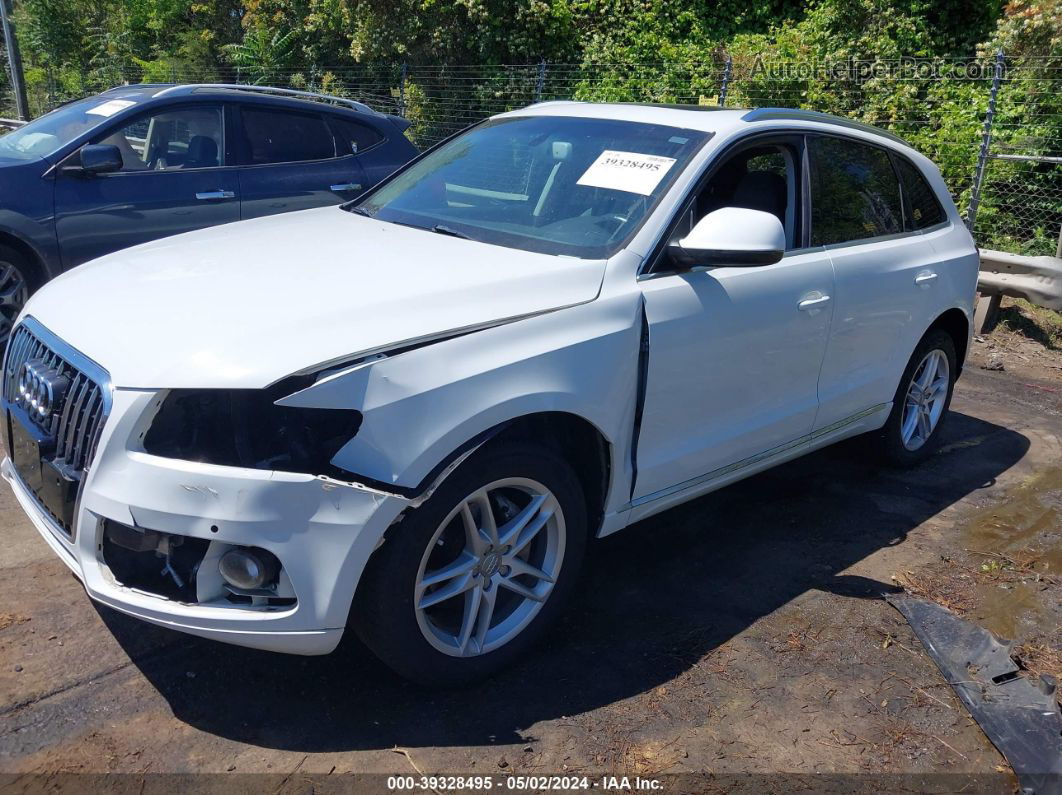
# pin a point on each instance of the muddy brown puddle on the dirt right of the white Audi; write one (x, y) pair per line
(1027, 529)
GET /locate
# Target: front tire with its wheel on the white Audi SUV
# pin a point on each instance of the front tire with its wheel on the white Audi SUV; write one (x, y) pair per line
(416, 597)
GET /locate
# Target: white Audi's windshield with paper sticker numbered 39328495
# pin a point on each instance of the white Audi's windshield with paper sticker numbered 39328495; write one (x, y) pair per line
(557, 185)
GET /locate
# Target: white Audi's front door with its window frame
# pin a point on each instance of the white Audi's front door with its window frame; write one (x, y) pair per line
(734, 353)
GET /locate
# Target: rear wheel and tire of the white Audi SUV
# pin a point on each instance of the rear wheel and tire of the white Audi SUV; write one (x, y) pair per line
(899, 444)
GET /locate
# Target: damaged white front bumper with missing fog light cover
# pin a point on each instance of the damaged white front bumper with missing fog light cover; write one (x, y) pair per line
(321, 530)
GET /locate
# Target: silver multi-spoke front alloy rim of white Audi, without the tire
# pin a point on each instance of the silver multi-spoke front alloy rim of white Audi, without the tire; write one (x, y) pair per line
(490, 567)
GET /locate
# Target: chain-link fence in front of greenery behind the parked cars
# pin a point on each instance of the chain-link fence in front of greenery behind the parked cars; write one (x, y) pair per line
(1004, 166)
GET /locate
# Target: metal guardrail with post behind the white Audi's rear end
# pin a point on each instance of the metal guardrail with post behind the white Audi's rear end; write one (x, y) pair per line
(1037, 280)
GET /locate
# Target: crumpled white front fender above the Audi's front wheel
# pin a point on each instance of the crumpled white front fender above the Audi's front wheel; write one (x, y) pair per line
(423, 406)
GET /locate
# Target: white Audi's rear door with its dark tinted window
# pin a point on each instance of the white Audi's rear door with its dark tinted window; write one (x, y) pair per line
(885, 273)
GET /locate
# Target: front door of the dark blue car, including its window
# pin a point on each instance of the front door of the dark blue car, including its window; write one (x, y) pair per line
(176, 178)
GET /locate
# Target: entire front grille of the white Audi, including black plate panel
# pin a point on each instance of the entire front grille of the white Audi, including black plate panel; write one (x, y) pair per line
(54, 447)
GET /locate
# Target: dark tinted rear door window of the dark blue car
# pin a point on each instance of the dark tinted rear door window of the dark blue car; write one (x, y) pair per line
(283, 136)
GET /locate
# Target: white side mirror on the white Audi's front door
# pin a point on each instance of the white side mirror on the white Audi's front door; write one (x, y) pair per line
(732, 237)
